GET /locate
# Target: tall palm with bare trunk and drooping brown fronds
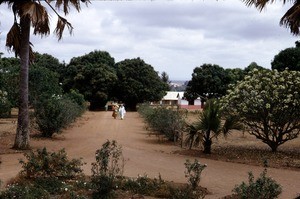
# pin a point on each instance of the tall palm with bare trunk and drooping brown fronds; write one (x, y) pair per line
(31, 13)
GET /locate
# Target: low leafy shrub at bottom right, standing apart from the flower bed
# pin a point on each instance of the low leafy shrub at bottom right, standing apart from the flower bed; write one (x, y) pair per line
(261, 188)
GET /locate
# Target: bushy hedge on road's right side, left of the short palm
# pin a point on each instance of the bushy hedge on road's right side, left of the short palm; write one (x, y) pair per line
(164, 121)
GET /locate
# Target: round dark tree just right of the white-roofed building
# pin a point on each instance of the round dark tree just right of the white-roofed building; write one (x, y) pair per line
(208, 81)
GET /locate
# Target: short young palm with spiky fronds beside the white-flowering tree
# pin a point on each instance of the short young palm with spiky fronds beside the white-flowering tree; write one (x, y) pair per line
(210, 125)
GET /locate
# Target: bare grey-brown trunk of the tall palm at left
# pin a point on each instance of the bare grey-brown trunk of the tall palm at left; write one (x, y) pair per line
(22, 134)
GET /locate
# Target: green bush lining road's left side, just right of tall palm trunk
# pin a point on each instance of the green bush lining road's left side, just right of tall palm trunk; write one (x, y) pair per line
(55, 113)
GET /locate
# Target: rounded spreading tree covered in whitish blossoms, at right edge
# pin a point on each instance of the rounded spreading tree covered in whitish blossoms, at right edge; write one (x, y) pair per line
(268, 103)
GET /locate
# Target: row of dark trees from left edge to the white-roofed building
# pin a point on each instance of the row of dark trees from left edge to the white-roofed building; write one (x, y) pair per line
(95, 75)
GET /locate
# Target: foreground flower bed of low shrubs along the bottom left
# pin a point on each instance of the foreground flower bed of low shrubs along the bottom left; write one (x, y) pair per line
(47, 174)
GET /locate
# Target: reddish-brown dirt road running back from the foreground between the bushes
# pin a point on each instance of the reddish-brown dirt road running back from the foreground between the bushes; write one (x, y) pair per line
(145, 155)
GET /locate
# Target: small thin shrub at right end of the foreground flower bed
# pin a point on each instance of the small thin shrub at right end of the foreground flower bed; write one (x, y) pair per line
(193, 173)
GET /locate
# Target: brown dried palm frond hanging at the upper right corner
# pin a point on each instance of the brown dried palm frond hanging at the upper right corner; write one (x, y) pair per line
(291, 19)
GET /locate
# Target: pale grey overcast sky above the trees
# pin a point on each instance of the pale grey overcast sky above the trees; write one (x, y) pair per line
(172, 36)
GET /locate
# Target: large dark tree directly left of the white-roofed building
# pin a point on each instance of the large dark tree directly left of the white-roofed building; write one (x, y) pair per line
(138, 83)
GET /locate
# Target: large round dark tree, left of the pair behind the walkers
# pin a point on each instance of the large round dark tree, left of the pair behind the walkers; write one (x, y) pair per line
(93, 75)
